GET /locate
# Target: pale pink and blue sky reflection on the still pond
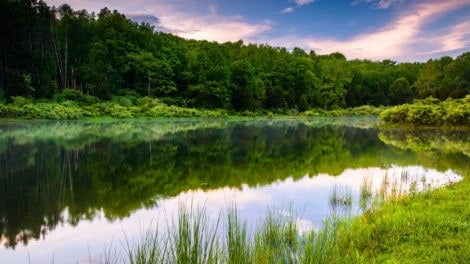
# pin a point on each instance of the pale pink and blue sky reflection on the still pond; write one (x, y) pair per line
(308, 198)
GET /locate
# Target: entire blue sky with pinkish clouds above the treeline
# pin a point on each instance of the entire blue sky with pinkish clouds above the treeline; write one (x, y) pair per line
(401, 30)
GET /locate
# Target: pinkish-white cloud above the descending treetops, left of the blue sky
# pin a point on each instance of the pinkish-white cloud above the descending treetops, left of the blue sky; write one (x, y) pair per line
(179, 17)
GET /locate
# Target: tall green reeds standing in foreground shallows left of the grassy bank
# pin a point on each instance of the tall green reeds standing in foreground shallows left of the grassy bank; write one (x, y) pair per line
(192, 238)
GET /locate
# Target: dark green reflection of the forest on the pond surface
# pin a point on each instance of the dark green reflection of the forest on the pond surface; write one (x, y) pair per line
(40, 179)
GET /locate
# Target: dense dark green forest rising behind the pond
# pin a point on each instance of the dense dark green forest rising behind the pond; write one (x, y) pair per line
(45, 50)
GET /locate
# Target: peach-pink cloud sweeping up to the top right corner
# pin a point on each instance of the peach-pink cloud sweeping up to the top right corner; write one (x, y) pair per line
(403, 38)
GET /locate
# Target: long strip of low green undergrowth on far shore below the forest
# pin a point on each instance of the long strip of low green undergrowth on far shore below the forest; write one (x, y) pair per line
(71, 105)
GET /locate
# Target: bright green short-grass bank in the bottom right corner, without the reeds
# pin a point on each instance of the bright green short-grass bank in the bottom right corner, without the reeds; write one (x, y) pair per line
(433, 227)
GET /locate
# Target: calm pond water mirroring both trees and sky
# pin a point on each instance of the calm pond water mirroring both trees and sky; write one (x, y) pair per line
(69, 191)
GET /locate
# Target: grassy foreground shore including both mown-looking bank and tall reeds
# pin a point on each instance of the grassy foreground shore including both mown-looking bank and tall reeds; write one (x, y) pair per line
(430, 227)
